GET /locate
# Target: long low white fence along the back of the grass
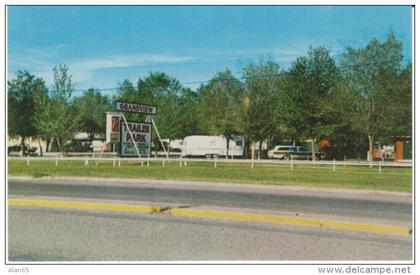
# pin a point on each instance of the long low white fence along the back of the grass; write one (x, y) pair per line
(86, 159)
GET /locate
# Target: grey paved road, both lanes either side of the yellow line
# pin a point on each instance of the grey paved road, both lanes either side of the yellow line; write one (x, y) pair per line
(52, 234)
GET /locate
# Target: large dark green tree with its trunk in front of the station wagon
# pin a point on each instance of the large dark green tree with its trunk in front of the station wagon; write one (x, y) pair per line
(311, 82)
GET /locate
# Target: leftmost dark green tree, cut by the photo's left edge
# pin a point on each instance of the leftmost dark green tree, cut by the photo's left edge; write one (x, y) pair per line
(22, 104)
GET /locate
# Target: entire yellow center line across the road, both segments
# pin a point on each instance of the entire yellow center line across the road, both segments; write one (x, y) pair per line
(215, 214)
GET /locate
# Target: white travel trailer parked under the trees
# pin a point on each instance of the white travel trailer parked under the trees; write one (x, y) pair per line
(211, 146)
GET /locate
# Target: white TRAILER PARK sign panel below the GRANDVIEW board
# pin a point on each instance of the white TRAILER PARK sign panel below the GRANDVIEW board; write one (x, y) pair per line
(141, 133)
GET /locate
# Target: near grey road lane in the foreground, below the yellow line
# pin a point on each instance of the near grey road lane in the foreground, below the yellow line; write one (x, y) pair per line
(66, 235)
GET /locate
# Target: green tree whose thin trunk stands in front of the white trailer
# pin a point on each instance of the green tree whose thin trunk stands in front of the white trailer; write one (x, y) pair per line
(222, 105)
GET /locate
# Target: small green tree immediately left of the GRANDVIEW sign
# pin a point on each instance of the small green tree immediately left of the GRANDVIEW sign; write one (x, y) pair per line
(92, 107)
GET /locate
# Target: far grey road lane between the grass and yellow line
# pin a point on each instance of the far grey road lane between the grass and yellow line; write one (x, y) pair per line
(364, 207)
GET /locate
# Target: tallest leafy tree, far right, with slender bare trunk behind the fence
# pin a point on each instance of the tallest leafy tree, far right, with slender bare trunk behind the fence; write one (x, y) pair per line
(372, 72)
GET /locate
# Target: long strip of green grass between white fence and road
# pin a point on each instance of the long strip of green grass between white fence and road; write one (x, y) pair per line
(391, 179)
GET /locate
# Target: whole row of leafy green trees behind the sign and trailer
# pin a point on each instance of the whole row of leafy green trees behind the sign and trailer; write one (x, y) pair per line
(359, 98)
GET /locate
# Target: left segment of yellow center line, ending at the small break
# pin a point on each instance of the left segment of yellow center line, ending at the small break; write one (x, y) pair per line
(85, 205)
